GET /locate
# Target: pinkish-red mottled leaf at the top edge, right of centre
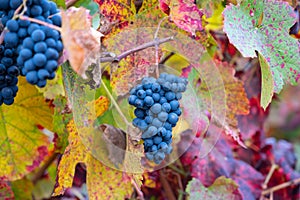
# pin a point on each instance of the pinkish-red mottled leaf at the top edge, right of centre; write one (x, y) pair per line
(184, 13)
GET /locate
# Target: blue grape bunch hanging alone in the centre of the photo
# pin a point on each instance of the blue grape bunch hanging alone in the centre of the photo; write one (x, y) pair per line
(157, 112)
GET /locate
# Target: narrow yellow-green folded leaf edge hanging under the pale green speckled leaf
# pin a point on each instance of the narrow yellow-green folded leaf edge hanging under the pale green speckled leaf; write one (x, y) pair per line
(267, 87)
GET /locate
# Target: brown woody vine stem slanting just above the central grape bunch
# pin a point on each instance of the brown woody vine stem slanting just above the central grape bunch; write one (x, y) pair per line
(136, 49)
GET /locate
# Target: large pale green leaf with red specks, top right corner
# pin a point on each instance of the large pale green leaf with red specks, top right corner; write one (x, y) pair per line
(269, 36)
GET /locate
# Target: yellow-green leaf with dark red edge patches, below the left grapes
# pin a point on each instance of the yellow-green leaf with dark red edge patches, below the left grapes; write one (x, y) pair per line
(23, 146)
